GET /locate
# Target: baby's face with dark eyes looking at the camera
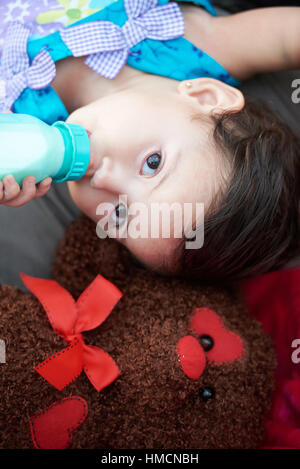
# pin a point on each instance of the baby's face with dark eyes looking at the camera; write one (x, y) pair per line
(146, 147)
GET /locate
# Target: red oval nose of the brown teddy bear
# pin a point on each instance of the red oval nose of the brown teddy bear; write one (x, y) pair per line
(191, 356)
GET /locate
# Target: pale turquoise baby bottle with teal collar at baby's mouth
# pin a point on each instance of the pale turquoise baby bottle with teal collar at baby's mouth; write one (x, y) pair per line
(30, 147)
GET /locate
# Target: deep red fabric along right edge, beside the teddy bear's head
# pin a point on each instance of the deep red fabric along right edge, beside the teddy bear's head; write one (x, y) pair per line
(274, 299)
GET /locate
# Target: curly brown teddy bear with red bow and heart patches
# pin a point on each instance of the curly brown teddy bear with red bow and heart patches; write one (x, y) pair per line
(110, 355)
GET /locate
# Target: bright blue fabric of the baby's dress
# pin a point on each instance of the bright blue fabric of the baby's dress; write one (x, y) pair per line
(178, 59)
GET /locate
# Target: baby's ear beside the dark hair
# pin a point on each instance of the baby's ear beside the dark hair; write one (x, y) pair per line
(211, 96)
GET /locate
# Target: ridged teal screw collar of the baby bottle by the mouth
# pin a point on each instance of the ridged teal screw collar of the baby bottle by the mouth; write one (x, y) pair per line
(77, 152)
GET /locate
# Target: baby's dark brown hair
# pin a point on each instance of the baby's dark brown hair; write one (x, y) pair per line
(252, 226)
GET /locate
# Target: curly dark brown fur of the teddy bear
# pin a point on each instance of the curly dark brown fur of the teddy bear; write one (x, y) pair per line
(153, 404)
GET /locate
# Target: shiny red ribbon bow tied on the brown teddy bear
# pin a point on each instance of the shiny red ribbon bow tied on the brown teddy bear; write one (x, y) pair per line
(69, 319)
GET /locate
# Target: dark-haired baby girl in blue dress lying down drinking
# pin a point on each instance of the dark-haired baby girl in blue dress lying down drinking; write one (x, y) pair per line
(182, 133)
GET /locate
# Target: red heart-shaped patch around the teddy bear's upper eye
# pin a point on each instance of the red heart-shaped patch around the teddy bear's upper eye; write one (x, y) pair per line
(228, 346)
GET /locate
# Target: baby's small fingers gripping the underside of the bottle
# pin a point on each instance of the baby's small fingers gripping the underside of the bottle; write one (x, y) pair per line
(13, 196)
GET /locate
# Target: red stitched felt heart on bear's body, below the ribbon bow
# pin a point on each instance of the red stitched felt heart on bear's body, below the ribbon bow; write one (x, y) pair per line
(53, 427)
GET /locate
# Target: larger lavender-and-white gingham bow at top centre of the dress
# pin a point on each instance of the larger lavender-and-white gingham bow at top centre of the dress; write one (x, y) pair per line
(107, 45)
